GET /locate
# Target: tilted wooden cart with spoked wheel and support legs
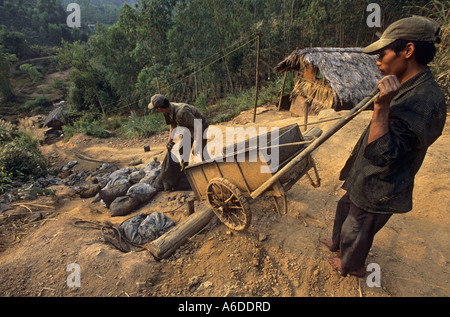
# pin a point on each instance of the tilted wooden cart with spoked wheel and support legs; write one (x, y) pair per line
(227, 183)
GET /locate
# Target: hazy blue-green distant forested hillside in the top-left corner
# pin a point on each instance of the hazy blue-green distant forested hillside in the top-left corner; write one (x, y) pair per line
(44, 22)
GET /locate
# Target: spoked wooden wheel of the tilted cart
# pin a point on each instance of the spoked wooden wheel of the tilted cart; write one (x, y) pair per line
(228, 203)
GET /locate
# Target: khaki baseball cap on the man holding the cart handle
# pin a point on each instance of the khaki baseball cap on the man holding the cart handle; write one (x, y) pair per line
(415, 28)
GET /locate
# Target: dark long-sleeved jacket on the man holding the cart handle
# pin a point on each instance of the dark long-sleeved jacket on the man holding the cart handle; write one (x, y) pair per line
(380, 176)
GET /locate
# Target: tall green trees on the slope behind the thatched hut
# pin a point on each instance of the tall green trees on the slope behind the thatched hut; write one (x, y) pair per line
(207, 48)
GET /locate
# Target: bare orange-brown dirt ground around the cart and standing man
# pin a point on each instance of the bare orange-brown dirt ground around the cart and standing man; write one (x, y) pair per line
(278, 256)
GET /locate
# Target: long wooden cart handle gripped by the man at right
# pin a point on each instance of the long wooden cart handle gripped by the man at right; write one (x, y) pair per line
(325, 136)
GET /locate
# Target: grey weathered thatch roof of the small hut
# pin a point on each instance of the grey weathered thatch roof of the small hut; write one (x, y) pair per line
(351, 74)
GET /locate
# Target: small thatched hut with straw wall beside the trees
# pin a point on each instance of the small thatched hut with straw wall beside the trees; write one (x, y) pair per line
(336, 78)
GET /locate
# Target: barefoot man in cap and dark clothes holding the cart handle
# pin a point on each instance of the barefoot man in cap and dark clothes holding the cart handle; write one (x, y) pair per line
(408, 116)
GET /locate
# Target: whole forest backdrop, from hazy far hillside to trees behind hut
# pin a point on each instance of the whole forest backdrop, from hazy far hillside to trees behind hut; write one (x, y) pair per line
(195, 51)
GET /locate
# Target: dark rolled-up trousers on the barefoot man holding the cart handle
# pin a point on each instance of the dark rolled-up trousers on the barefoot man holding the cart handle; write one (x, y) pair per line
(353, 232)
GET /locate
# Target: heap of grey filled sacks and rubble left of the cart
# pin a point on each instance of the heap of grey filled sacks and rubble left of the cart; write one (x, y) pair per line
(122, 190)
